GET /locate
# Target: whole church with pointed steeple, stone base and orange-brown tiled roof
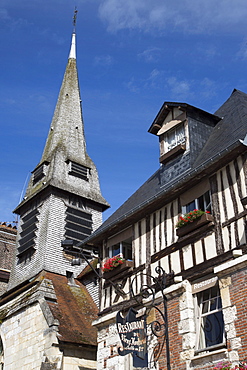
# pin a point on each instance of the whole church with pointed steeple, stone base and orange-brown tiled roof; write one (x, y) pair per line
(46, 313)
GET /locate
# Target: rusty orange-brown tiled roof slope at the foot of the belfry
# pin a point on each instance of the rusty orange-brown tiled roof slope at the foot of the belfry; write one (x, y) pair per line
(75, 311)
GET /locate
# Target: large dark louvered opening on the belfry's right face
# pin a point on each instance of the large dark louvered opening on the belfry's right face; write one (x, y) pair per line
(78, 224)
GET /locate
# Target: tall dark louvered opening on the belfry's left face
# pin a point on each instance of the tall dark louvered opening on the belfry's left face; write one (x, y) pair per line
(27, 234)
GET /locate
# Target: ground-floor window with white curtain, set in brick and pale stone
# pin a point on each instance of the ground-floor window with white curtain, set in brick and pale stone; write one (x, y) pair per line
(209, 317)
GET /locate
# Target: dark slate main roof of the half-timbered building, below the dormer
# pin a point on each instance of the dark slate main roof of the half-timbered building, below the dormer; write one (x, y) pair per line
(229, 130)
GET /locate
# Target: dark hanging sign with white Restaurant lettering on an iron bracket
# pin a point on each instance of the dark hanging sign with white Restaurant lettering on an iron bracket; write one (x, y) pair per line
(132, 332)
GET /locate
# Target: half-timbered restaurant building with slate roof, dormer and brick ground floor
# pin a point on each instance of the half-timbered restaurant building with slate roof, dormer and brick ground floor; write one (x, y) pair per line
(182, 236)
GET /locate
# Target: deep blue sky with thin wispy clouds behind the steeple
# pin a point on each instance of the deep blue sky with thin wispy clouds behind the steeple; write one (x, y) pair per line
(132, 55)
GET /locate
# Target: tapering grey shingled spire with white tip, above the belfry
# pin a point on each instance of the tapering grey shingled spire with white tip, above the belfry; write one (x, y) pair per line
(66, 142)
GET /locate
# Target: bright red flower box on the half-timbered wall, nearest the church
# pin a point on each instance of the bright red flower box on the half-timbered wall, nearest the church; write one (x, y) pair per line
(114, 266)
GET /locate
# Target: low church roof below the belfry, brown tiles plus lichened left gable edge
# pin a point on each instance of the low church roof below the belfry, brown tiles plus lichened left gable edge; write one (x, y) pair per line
(71, 306)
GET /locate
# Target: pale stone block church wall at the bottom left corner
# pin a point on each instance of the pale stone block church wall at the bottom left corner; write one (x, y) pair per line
(27, 340)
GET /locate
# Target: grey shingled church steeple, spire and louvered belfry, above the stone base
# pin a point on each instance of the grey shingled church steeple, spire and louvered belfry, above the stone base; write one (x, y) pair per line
(63, 199)
